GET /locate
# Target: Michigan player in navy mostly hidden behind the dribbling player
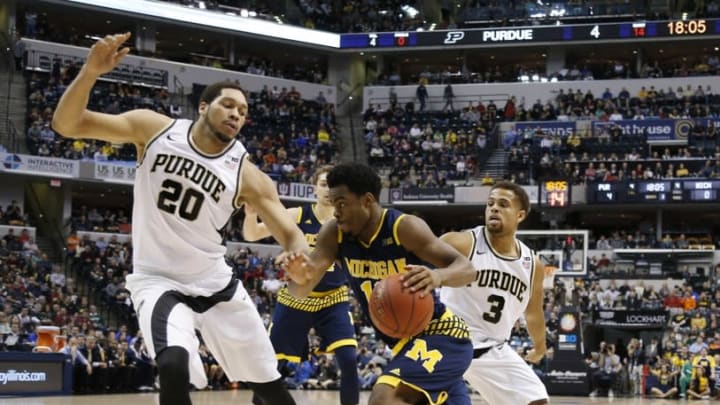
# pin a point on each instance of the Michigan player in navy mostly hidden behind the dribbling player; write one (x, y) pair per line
(327, 309)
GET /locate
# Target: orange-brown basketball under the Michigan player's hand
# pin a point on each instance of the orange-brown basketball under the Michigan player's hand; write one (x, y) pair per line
(396, 311)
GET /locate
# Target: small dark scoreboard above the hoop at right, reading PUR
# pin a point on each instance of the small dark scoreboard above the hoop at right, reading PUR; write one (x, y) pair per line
(654, 191)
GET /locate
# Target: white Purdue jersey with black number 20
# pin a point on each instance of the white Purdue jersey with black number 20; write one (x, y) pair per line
(183, 200)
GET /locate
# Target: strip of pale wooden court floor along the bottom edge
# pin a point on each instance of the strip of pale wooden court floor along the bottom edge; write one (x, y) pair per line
(242, 397)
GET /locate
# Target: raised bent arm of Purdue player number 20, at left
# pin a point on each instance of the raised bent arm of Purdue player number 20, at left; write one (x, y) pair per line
(72, 119)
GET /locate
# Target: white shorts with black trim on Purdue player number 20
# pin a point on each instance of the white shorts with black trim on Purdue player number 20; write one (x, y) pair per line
(227, 320)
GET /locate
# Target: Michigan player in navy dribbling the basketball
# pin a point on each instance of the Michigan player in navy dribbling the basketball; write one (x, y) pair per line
(371, 243)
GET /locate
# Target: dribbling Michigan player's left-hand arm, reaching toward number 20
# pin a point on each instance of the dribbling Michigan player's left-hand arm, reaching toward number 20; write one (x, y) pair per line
(315, 264)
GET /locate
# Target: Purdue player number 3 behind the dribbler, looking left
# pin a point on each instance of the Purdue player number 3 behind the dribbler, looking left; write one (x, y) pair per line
(508, 283)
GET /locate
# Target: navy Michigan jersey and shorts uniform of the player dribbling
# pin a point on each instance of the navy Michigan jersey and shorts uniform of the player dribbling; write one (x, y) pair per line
(433, 362)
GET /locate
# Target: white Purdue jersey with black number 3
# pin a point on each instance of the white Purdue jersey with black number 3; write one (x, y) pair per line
(492, 303)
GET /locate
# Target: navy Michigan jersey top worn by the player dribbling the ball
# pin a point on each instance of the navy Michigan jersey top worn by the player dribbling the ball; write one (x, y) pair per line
(366, 264)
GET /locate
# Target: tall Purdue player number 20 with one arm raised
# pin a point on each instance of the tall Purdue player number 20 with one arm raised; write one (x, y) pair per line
(191, 177)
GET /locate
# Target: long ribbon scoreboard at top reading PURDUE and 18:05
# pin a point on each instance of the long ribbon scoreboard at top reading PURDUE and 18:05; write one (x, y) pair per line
(535, 34)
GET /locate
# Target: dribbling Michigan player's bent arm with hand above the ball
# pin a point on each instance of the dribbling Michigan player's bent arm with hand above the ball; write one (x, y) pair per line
(453, 269)
